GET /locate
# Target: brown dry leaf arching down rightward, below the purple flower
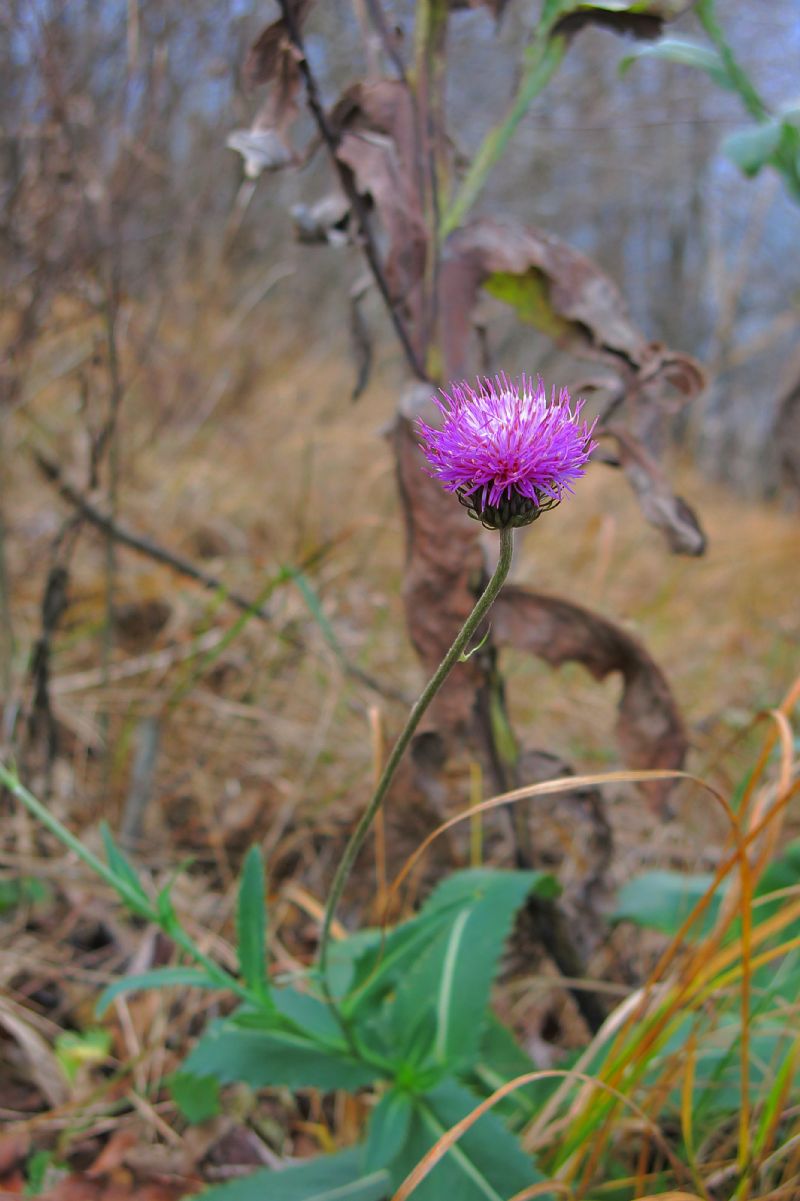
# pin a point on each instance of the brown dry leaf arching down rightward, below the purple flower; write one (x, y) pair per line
(649, 728)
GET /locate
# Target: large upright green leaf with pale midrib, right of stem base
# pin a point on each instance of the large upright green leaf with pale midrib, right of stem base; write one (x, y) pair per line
(445, 996)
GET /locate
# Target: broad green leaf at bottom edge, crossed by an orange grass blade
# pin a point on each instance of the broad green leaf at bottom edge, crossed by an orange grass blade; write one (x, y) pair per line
(487, 1164)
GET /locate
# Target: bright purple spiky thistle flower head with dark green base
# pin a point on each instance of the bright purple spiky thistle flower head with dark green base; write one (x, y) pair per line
(508, 452)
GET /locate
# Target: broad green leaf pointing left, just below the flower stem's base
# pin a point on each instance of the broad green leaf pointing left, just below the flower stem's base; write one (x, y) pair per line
(274, 1059)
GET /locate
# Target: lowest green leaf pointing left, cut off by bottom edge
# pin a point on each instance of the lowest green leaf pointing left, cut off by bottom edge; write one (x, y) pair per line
(327, 1179)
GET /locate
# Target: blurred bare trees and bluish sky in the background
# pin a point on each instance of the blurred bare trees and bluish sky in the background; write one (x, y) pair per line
(116, 176)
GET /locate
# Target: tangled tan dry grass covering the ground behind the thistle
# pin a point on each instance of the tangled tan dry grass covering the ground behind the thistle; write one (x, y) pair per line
(249, 462)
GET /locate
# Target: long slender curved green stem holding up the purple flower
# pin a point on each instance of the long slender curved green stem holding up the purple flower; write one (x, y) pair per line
(357, 840)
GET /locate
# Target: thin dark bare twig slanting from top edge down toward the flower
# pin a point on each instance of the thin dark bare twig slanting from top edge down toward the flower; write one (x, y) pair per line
(349, 187)
